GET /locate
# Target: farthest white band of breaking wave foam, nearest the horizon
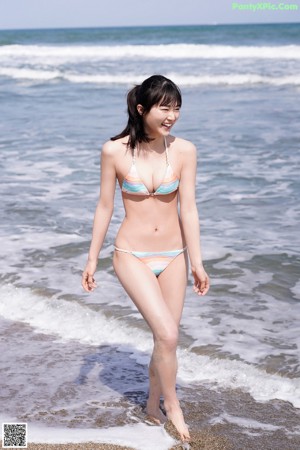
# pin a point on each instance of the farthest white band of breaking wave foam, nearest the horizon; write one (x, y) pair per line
(73, 53)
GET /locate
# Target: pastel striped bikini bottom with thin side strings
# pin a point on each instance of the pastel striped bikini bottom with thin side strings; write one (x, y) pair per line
(156, 261)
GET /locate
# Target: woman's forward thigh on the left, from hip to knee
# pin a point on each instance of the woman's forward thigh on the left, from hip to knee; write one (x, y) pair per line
(143, 288)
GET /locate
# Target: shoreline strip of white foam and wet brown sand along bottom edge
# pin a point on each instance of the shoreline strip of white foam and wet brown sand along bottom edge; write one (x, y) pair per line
(218, 420)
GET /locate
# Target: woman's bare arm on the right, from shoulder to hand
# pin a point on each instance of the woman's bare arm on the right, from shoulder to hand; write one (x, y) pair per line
(190, 219)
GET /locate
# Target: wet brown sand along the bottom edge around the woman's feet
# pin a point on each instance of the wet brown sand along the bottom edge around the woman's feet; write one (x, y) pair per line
(272, 425)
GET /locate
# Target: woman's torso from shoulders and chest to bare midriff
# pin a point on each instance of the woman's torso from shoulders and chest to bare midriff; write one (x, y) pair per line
(151, 222)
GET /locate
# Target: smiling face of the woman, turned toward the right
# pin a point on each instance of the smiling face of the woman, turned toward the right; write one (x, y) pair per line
(160, 119)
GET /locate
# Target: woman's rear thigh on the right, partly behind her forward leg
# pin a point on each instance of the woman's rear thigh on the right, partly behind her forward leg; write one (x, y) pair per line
(172, 282)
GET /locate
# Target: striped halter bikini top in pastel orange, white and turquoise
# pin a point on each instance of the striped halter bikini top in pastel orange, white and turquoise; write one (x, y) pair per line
(132, 183)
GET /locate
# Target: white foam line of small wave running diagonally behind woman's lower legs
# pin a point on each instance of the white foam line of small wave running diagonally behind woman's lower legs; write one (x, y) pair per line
(48, 315)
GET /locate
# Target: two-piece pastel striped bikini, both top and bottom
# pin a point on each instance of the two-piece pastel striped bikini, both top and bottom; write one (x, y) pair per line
(133, 184)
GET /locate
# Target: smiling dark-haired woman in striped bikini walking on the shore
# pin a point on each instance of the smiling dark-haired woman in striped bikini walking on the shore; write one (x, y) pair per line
(155, 171)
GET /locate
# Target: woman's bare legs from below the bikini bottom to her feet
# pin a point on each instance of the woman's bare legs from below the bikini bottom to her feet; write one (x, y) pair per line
(146, 292)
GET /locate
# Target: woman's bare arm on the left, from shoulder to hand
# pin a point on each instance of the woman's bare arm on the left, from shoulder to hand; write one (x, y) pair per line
(103, 214)
